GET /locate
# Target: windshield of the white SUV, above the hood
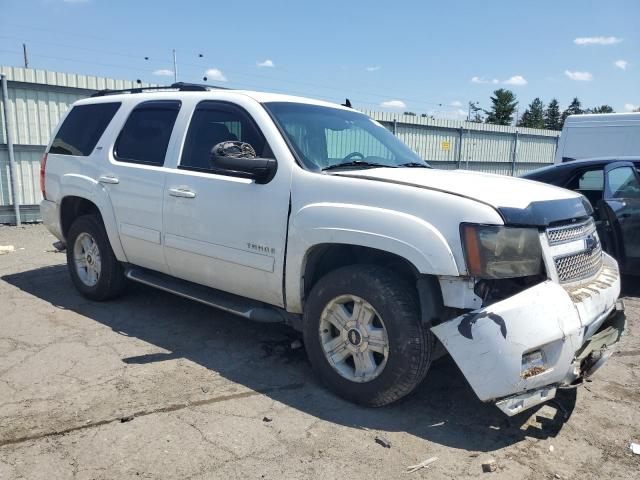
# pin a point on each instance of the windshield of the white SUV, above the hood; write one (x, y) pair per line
(325, 137)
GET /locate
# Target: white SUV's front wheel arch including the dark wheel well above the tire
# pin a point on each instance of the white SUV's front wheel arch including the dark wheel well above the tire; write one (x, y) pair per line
(323, 237)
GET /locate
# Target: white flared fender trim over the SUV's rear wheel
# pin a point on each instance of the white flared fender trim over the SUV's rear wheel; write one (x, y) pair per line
(74, 185)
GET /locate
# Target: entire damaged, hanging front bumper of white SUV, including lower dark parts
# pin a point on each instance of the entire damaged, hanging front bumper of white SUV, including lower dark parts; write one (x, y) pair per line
(518, 351)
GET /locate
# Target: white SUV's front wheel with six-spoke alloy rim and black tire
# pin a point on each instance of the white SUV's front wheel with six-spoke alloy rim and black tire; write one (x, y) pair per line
(364, 335)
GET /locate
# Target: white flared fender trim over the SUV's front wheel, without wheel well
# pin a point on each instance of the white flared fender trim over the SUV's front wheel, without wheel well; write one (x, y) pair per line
(395, 232)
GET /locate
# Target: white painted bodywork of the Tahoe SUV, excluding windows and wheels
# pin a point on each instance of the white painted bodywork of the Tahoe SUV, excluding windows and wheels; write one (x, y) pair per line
(231, 234)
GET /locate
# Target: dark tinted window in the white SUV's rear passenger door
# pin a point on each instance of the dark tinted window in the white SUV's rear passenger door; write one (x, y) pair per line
(145, 136)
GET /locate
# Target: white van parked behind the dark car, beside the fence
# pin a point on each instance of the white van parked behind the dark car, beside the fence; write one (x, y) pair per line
(601, 135)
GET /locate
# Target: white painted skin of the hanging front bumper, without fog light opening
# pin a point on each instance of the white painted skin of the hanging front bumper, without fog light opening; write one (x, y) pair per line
(543, 317)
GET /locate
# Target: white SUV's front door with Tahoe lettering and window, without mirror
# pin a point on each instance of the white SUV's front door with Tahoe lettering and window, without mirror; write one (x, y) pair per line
(221, 230)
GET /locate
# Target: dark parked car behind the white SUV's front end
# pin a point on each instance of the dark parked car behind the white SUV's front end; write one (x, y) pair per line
(613, 188)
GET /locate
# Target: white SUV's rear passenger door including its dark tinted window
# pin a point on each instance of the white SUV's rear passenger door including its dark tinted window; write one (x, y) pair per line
(134, 178)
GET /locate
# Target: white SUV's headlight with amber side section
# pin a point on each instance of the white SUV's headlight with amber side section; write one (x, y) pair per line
(501, 252)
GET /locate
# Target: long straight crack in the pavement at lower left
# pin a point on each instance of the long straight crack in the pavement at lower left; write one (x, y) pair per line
(142, 413)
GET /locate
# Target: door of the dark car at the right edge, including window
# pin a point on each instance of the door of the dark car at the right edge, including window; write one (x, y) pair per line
(622, 196)
